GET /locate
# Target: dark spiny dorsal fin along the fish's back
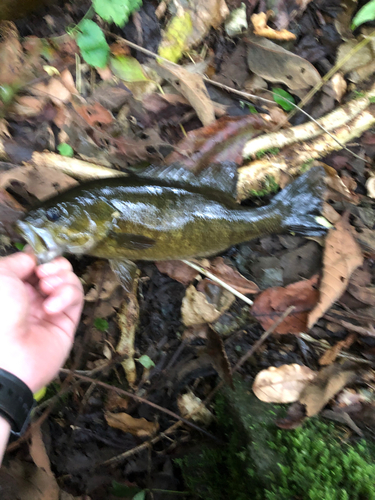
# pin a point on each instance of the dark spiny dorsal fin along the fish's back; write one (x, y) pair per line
(217, 178)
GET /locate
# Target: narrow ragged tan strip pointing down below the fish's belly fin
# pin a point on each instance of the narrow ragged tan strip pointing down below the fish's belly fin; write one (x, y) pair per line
(127, 319)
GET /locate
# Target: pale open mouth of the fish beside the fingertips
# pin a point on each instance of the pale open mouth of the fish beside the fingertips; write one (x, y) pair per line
(41, 241)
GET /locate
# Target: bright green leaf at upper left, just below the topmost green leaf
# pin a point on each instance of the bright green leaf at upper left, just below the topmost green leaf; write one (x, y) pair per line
(92, 43)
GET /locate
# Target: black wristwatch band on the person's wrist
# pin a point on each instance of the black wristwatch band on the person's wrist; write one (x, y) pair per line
(16, 402)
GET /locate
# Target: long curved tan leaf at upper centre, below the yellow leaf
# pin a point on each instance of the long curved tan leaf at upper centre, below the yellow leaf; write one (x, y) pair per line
(192, 87)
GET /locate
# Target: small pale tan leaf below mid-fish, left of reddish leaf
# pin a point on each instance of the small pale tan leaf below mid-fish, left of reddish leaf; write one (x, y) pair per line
(197, 309)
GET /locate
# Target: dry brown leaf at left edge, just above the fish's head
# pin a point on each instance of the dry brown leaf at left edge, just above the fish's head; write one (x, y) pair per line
(41, 182)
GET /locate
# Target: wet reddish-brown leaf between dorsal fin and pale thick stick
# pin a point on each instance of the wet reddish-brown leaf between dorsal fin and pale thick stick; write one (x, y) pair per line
(220, 142)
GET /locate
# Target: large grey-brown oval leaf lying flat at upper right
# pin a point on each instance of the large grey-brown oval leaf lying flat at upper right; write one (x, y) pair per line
(275, 64)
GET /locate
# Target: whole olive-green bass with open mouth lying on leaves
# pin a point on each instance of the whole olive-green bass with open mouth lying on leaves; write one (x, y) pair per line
(166, 214)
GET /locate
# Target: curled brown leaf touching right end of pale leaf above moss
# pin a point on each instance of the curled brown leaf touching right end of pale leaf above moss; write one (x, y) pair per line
(329, 381)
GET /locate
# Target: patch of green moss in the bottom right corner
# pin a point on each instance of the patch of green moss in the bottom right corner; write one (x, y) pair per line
(310, 463)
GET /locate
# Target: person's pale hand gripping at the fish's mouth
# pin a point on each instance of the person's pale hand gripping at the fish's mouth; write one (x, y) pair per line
(40, 307)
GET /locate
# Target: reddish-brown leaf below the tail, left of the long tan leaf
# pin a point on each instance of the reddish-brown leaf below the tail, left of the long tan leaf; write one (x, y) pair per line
(273, 302)
